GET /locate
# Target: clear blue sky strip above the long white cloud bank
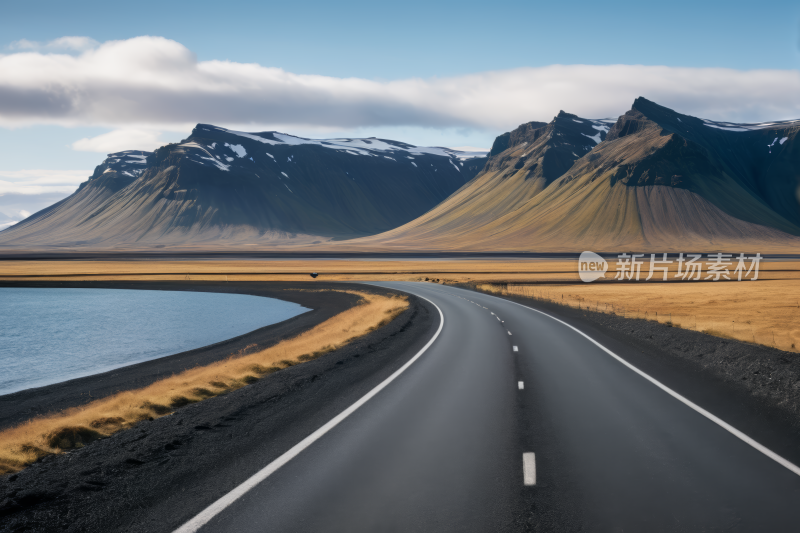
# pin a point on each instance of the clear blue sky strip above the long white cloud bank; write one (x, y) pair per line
(409, 39)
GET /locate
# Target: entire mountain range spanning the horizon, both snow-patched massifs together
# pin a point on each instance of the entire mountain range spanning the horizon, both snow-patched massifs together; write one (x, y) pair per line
(652, 179)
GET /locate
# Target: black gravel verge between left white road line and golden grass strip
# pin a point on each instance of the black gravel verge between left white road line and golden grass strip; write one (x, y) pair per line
(161, 473)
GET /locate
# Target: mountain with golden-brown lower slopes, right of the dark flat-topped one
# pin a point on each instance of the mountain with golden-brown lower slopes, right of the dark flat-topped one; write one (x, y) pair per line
(653, 180)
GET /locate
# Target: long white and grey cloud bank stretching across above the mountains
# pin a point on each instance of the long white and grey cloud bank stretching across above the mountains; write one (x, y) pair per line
(153, 82)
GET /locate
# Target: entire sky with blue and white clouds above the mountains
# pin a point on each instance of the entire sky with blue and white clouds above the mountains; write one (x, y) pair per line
(79, 80)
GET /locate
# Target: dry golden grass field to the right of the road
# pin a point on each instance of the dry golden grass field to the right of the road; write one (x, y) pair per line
(762, 312)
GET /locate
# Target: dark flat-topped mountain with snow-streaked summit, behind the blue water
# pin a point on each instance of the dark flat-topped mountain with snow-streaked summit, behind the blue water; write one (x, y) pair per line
(226, 188)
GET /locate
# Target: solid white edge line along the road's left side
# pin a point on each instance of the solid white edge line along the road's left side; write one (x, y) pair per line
(218, 506)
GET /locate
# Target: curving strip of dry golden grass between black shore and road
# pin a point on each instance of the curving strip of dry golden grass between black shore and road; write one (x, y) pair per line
(74, 428)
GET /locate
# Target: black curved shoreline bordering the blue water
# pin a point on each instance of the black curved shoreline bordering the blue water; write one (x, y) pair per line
(23, 405)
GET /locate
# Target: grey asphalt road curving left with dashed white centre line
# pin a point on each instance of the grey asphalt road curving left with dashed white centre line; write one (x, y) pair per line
(441, 446)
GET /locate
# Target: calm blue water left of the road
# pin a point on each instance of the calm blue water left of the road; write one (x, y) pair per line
(52, 335)
